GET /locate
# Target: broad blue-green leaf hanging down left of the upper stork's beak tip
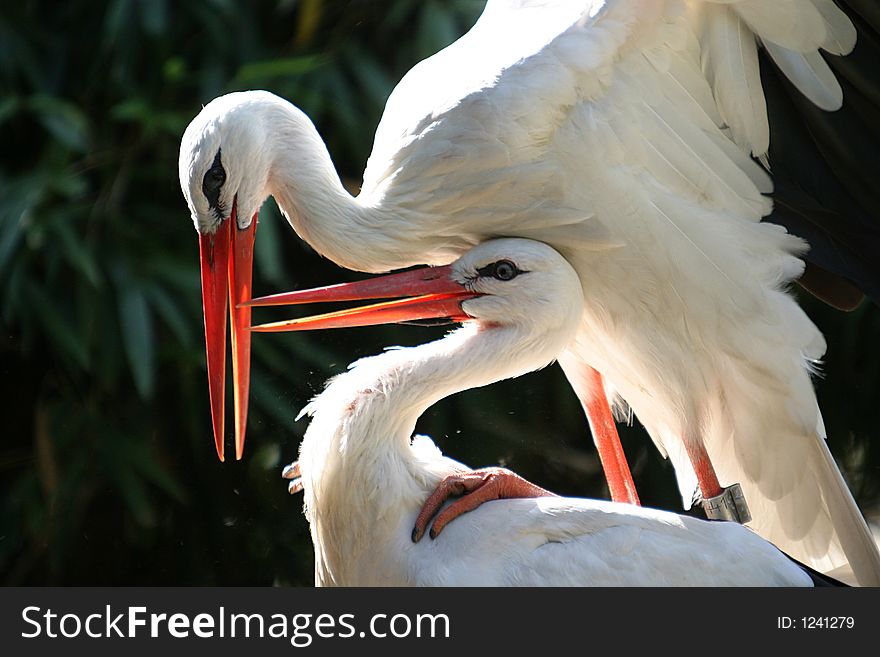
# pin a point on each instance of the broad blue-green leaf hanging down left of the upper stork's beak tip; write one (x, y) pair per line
(136, 323)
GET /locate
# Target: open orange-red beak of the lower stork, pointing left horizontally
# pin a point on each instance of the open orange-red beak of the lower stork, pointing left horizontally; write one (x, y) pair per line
(431, 292)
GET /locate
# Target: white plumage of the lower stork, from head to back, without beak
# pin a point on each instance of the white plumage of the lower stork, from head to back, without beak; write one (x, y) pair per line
(364, 481)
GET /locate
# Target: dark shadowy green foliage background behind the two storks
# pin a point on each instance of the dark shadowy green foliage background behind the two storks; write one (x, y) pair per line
(109, 475)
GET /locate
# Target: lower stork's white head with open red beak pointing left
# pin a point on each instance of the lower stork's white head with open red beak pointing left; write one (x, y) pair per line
(504, 283)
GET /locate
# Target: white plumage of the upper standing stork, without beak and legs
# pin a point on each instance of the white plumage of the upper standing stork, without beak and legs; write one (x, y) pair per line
(618, 132)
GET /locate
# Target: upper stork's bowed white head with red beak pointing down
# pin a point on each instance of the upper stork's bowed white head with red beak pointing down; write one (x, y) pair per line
(224, 169)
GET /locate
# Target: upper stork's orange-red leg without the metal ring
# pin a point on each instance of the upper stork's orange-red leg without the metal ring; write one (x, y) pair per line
(590, 389)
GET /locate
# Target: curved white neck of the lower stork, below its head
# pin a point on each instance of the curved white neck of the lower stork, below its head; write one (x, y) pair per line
(361, 476)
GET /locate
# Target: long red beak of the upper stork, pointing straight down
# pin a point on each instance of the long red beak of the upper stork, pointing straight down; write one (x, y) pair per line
(227, 258)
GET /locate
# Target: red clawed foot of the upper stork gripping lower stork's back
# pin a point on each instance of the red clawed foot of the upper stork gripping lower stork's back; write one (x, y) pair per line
(476, 487)
